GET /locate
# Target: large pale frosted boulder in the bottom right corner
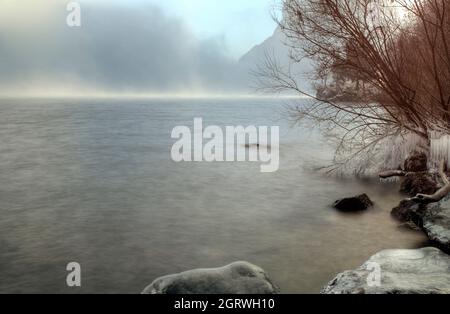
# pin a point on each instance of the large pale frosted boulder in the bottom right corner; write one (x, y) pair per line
(423, 271)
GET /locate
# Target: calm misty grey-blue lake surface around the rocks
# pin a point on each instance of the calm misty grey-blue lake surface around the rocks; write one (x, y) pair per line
(93, 182)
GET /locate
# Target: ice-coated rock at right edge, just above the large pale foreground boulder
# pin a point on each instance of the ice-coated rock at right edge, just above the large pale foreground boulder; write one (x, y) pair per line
(436, 224)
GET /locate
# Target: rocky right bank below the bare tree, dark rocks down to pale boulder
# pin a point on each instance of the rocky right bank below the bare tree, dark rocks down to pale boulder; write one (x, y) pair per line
(422, 271)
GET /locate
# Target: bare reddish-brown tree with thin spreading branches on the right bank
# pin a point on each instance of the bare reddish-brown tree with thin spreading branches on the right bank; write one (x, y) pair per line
(397, 49)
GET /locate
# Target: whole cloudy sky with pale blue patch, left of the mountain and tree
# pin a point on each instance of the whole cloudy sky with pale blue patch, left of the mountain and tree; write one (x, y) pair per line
(129, 45)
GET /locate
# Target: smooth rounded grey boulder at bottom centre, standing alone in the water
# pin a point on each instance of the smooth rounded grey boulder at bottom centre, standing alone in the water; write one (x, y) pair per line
(236, 278)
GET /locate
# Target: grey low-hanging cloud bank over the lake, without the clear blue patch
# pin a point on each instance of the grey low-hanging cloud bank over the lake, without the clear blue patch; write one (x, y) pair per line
(119, 47)
